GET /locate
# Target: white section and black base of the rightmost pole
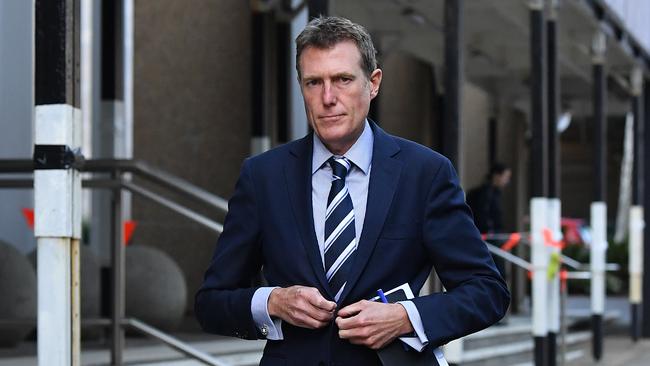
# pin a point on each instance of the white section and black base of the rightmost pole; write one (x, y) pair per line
(637, 224)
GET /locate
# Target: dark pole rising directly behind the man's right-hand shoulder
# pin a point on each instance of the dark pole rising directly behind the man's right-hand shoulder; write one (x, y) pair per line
(454, 61)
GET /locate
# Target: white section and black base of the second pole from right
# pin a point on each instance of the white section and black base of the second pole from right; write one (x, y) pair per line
(598, 253)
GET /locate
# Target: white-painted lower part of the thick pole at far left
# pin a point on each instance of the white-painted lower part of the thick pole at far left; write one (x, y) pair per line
(57, 227)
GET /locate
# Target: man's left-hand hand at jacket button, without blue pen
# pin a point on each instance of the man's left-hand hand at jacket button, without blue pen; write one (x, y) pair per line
(301, 306)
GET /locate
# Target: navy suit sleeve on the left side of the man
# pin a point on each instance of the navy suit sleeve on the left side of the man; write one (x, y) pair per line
(223, 302)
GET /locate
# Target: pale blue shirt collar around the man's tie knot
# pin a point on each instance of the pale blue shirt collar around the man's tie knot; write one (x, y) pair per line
(360, 154)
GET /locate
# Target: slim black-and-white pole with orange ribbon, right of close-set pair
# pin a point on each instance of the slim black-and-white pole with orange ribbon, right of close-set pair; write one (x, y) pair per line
(553, 178)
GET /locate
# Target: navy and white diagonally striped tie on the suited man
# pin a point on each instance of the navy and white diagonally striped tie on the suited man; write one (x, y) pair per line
(340, 237)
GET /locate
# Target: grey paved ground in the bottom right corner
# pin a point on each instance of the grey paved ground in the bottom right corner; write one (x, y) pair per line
(619, 350)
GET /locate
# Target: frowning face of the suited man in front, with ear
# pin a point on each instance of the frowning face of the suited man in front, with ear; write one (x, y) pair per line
(337, 93)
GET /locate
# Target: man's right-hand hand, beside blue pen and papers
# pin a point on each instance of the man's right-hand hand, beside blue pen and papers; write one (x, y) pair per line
(372, 324)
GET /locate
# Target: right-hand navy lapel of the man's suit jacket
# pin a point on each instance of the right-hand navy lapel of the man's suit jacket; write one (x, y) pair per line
(384, 178)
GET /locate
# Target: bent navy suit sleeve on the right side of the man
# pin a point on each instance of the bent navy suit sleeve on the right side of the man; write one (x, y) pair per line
(476, 295)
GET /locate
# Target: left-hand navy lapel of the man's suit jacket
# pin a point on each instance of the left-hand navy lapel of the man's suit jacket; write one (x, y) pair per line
(298, 174)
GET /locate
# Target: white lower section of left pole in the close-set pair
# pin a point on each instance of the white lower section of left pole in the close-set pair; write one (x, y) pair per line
(539, 257)
